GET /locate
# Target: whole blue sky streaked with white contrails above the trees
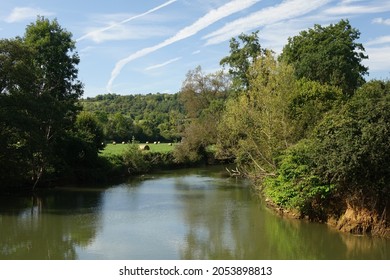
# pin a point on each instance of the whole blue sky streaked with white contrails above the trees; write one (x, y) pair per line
(130, 47)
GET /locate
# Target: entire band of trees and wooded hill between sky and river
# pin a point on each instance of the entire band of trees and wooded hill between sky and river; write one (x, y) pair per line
(305, 125)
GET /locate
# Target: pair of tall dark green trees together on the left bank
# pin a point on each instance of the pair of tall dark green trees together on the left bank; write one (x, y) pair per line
(39, 92)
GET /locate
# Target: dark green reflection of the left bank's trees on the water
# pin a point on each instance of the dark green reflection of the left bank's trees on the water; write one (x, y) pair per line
(48, 226)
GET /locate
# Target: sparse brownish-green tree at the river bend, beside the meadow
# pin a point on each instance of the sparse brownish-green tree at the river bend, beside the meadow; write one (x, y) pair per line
(203, 97)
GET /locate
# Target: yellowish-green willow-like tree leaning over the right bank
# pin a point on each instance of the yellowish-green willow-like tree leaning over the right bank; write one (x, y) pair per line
(255, 126)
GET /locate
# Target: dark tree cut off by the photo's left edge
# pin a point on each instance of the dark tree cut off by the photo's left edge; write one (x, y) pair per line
(16, 78)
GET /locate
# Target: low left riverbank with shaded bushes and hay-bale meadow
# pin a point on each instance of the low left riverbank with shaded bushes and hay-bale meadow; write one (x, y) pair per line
(117, 161)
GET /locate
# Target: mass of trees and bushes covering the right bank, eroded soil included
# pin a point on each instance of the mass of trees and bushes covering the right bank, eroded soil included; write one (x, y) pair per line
(312, 133)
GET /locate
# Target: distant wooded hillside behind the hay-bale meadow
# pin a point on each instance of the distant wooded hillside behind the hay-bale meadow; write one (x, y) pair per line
(151, 117)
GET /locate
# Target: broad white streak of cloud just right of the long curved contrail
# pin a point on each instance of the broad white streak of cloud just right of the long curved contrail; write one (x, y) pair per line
(286, 10)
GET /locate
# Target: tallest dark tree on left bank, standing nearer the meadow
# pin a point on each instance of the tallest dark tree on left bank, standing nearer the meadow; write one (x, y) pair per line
(56, 90)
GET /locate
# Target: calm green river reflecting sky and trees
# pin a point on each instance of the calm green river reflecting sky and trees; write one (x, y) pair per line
(183, 214)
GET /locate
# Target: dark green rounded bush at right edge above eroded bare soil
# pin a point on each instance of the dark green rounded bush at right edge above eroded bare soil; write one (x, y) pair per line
(353, 144)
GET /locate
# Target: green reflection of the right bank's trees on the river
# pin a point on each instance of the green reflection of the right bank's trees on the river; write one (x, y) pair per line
(226, 221)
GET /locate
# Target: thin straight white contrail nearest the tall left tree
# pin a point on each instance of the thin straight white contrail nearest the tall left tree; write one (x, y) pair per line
(99, 35)
